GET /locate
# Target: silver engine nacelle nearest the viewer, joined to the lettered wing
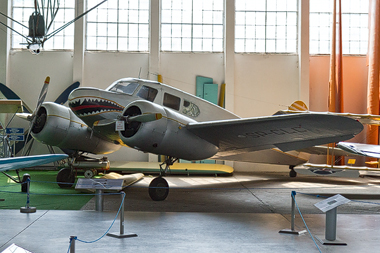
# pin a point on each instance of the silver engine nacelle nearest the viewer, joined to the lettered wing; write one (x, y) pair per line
(165, 136)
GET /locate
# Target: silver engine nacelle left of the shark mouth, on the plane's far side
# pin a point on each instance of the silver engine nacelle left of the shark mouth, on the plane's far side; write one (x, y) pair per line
(57, 125)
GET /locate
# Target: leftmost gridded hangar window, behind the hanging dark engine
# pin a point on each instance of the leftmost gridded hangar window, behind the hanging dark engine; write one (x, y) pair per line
(23, 9)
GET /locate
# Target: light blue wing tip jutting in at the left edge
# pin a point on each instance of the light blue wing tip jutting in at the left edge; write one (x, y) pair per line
(14, 163)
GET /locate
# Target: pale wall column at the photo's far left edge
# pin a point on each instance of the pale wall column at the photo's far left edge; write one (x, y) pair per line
(5, 7)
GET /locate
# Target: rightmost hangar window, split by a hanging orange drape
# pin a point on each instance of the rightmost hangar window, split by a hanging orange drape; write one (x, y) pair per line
(354, 26)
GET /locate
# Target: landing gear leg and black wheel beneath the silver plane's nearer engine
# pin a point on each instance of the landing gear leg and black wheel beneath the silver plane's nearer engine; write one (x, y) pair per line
(159, 187)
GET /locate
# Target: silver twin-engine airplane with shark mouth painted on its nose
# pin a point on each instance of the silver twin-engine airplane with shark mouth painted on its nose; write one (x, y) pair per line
(153, 117)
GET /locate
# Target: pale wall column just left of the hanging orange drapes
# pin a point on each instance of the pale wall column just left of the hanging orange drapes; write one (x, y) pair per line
(303, 51)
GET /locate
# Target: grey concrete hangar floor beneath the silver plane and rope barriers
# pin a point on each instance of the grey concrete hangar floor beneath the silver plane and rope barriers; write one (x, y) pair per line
(242, 213)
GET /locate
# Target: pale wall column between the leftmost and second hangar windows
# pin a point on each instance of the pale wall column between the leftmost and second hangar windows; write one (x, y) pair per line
(79, 42)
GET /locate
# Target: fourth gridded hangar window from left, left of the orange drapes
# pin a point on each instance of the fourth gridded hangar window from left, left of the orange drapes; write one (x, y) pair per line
(266, 26)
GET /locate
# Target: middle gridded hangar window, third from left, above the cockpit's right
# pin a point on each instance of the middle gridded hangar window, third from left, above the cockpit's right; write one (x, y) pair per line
(192, 25)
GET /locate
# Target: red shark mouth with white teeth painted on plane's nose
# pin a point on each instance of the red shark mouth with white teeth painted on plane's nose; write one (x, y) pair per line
(86, 106)
